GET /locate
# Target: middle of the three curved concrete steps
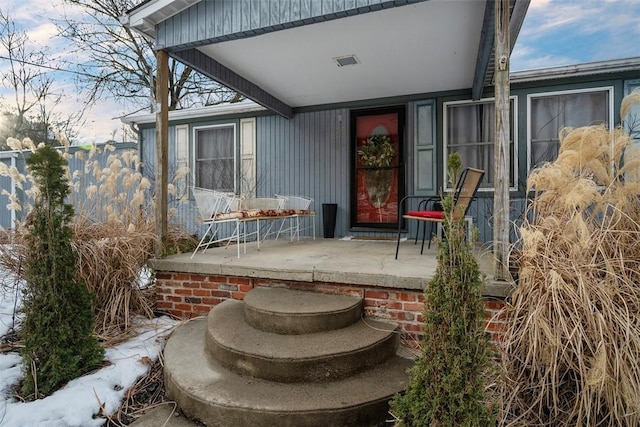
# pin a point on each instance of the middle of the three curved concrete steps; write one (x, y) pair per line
(319, 356)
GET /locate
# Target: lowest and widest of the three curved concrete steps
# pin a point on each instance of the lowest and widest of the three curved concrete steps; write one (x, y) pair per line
(207, 391)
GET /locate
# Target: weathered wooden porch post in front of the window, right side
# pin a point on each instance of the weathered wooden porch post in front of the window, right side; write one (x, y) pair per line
(501, 151)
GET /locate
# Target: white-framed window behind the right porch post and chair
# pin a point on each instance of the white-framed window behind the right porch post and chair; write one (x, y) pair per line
(470, 131)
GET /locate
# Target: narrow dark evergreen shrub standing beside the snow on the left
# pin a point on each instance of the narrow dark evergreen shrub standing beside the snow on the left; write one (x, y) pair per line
(57, 308)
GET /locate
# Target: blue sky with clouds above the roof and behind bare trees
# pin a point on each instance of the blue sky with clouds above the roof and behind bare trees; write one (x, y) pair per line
(554, 33)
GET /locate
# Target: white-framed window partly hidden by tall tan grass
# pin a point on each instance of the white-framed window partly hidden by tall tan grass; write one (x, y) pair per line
(551, 112)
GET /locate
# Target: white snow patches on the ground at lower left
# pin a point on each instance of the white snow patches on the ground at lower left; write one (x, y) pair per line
(79, 403)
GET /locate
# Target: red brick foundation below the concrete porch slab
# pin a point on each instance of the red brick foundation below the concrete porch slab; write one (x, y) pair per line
(186, 295)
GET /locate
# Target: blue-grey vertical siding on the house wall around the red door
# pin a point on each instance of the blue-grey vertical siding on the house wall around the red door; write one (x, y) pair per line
(308, 155)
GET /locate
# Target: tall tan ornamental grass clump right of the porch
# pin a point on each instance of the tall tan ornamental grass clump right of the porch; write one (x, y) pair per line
(571, 350)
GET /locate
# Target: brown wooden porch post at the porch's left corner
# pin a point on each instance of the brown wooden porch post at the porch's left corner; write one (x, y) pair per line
(162, 148)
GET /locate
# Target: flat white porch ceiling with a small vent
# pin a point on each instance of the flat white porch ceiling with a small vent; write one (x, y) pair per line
(425, 47)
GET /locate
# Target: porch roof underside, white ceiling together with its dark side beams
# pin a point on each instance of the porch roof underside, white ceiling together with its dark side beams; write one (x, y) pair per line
(419, 47)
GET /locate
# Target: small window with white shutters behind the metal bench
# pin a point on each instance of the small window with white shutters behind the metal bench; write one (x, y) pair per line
(215, 157)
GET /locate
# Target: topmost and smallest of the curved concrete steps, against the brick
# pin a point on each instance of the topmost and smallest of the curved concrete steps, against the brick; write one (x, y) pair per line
(286, 311)
